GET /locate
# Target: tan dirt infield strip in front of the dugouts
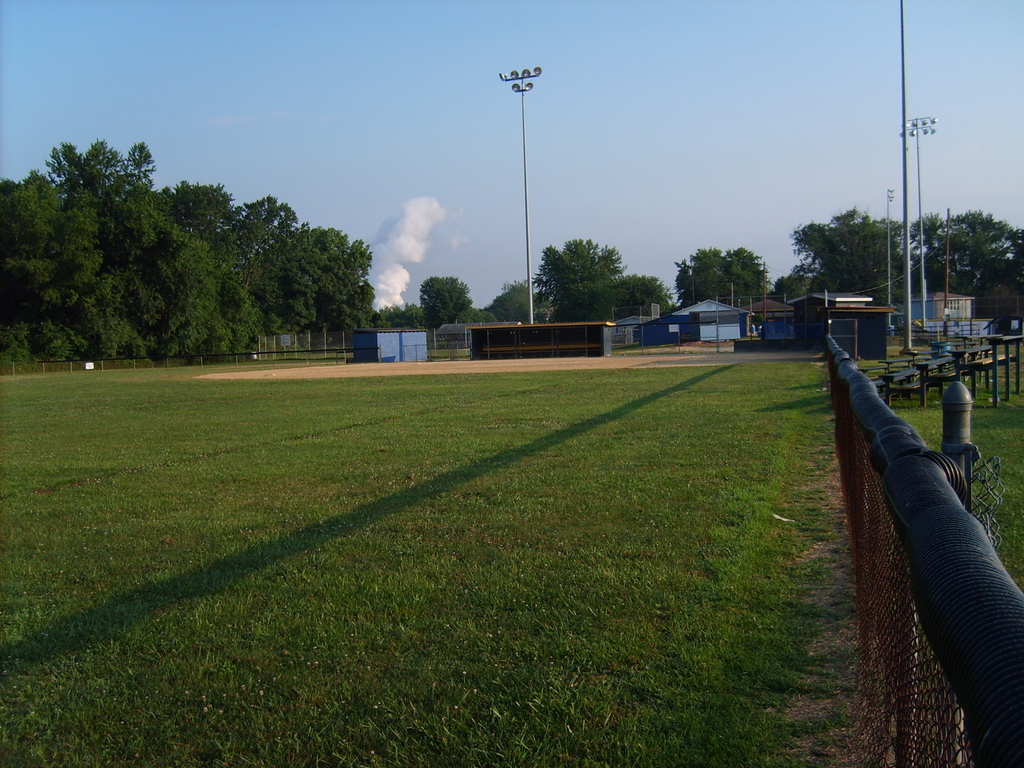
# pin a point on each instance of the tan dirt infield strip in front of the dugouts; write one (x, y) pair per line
(332, 371)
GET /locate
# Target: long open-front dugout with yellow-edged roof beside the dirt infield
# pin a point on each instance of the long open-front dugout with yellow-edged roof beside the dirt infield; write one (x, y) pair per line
(547, 340)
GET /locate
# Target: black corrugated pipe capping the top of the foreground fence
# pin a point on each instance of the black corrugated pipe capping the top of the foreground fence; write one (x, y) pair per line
(970, 609)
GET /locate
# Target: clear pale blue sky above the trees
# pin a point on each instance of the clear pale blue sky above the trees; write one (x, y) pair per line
(657, 127)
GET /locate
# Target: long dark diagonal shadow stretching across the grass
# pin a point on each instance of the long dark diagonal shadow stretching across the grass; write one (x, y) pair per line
(122, 612)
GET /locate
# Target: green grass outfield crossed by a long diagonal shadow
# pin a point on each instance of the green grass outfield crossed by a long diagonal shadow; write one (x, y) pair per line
(460, 571)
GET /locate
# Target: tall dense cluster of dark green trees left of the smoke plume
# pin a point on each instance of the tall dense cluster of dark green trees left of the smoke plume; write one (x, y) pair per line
(96, 263)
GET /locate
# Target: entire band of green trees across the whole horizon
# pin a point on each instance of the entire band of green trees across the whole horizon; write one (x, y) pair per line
(95, 262)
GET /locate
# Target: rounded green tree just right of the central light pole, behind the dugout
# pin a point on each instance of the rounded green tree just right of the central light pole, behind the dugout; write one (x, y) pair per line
(580, 281)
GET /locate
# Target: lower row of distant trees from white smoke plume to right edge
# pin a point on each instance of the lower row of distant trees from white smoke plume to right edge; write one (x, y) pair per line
(852, 253)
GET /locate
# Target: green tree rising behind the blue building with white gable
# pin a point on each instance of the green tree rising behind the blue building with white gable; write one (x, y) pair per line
(711, 273)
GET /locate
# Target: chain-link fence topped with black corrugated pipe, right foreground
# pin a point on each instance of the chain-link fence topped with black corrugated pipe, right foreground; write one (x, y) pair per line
(941, 621)
